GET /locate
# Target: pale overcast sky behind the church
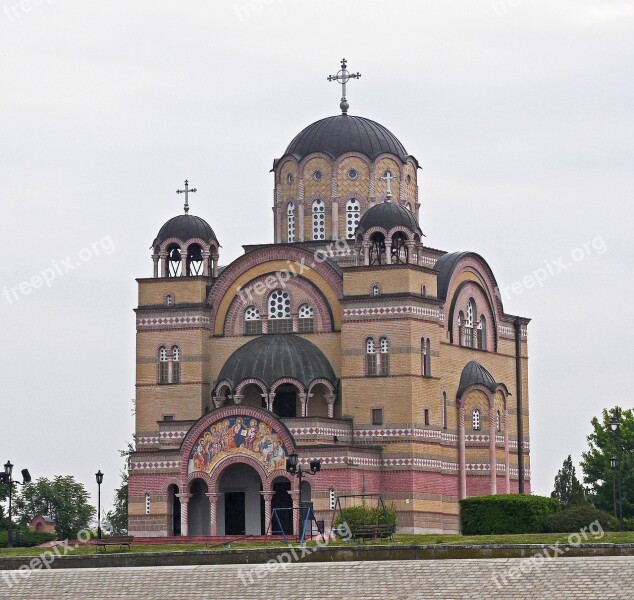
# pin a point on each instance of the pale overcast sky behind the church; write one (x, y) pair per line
(519, 111)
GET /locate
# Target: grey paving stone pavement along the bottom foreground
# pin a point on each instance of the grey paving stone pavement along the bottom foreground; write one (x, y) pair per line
(569, 578)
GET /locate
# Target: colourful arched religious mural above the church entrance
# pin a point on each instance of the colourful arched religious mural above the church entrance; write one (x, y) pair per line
(238, 435)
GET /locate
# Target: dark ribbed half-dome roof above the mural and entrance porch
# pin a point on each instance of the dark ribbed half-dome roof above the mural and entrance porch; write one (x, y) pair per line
(273, 356)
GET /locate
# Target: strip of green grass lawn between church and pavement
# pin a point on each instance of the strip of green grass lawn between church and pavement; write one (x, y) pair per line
(611, 537)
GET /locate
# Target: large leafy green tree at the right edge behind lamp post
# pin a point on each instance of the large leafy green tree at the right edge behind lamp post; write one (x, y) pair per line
(596, 461)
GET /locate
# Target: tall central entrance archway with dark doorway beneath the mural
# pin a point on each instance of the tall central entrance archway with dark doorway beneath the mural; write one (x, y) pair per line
(241, 505)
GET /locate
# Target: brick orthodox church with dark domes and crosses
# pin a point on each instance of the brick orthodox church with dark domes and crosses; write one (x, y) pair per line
(348, 340)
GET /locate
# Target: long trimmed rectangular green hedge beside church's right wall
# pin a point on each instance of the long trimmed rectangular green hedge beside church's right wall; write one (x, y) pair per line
(506, 513)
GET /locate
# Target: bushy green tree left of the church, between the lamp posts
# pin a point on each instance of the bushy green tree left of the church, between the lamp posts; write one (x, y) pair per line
(62, 499)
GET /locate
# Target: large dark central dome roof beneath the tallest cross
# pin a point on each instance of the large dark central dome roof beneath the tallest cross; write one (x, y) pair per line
(335, 136)
